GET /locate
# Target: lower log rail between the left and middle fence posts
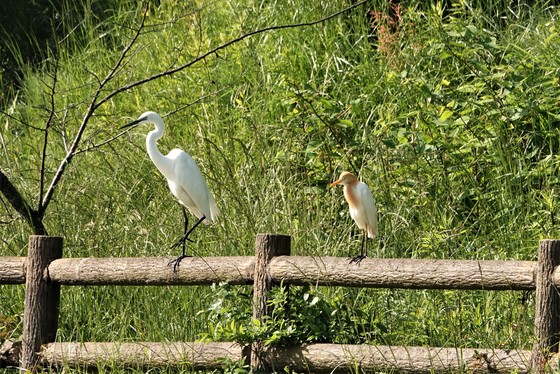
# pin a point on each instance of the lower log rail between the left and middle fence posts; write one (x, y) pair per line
(199, 355)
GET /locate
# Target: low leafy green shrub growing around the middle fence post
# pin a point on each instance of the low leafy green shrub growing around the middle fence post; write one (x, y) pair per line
(300, 314)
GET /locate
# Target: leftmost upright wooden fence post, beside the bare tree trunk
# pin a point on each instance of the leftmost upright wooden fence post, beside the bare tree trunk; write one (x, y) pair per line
(42, 297)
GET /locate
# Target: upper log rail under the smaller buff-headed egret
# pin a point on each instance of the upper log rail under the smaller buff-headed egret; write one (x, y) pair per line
(405, 273)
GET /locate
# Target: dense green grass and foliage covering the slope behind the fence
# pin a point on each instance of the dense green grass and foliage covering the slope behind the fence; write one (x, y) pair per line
(450, 115)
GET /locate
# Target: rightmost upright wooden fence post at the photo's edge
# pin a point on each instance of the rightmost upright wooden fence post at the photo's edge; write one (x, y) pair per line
(547, 305)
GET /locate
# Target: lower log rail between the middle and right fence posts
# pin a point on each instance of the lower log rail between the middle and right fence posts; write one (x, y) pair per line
(335, 358)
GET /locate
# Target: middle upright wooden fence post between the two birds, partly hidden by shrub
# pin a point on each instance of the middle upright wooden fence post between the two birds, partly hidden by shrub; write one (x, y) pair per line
(266, 247)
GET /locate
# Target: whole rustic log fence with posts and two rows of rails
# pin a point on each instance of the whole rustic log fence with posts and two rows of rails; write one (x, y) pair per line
(44, 271)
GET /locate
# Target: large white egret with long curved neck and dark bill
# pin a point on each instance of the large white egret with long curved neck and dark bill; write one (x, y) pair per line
(184, 179)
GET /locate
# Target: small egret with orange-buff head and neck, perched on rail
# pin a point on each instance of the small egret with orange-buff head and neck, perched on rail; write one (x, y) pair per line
(362, 208)
